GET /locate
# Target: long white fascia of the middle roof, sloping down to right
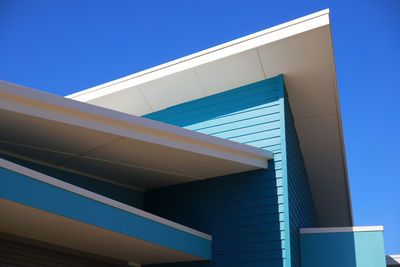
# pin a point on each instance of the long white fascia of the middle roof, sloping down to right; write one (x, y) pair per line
(52, 107)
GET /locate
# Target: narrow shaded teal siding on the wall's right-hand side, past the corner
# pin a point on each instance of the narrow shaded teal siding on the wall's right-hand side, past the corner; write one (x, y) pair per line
(301, 207)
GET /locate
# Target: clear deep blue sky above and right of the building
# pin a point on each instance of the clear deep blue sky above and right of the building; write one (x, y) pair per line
(66, 46)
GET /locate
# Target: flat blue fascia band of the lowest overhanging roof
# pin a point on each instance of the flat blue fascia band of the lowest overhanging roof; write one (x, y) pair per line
(40, 195)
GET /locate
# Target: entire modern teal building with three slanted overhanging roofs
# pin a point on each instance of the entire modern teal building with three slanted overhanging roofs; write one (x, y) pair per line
(232, 156)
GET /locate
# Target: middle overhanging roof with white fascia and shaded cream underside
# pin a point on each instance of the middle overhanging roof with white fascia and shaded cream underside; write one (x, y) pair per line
(112, 145)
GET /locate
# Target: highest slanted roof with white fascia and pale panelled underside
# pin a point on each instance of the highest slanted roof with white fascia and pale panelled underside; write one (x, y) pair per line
(302, 50)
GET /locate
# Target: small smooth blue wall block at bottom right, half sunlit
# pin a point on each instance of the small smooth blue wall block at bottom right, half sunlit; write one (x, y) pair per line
(358, 249)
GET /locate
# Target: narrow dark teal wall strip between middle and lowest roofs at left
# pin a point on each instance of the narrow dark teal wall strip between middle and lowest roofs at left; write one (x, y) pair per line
(120, 193)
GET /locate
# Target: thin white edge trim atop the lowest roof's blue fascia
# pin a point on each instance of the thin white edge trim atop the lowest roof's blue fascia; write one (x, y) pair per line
(105, 200)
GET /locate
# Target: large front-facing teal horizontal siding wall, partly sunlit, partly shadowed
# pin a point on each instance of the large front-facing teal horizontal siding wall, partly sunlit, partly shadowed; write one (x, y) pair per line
(243, 212)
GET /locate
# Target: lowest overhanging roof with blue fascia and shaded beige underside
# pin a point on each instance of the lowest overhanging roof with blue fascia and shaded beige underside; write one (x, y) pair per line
(44, 208)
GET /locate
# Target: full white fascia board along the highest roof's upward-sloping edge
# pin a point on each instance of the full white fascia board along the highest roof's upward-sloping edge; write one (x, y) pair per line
(246, 43)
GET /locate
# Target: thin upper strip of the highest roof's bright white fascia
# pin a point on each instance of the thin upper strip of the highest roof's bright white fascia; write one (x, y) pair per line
(201, 53)
